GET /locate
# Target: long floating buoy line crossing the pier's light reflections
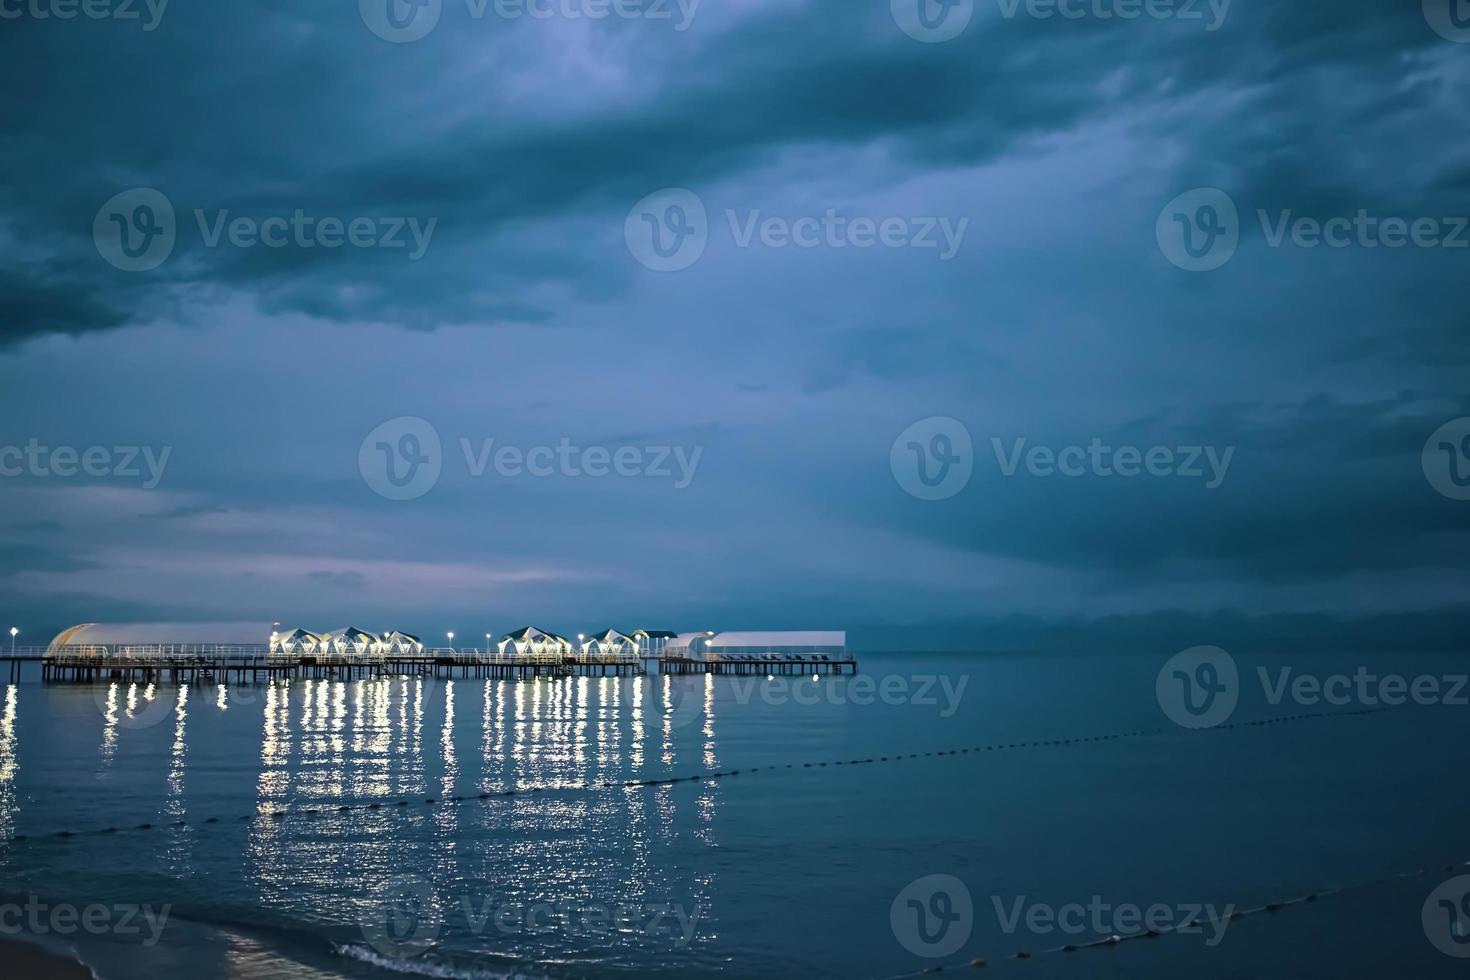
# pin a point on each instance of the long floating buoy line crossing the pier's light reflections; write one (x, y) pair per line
(329, 809)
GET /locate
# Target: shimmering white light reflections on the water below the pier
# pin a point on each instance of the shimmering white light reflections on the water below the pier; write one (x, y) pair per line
(321, 744)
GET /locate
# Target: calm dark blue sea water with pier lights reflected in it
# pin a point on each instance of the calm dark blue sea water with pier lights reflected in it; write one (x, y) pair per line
(774, 872)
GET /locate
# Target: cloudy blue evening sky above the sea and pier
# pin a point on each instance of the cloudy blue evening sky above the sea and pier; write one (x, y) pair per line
(453, 317)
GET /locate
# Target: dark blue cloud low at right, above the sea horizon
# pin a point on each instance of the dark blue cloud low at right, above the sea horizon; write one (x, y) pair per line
(1315, 490)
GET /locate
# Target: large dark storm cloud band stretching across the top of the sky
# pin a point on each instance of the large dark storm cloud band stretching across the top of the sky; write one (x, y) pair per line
(305, 109)
